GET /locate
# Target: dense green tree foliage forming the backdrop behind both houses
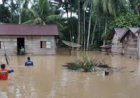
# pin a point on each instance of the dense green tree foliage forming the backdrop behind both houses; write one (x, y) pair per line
(118, 13)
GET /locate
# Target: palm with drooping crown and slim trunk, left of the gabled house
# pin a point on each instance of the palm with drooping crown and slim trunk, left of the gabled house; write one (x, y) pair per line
(111, 8)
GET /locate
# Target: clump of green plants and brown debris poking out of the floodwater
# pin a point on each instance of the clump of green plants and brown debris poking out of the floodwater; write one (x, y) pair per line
(91, 65)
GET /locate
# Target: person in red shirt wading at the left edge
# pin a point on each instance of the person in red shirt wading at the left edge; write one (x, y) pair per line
(4, 72)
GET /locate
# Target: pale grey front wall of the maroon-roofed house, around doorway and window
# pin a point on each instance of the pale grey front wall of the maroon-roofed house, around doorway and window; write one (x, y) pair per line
(32, 45)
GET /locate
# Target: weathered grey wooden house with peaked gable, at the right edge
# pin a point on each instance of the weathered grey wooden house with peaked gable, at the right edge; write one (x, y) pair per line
(125, 41)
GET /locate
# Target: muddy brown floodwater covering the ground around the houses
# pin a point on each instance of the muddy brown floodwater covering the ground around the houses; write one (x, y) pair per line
(48, 79)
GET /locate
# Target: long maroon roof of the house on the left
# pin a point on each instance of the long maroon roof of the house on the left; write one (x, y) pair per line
(28, 30)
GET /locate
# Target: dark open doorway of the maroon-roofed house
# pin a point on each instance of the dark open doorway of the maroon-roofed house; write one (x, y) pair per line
(20, 46)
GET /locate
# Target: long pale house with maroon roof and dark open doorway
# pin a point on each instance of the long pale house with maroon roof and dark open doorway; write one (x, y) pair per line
(32, 39)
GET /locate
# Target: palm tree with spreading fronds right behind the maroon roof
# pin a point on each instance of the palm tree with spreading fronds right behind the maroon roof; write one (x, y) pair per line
(40, 13)
